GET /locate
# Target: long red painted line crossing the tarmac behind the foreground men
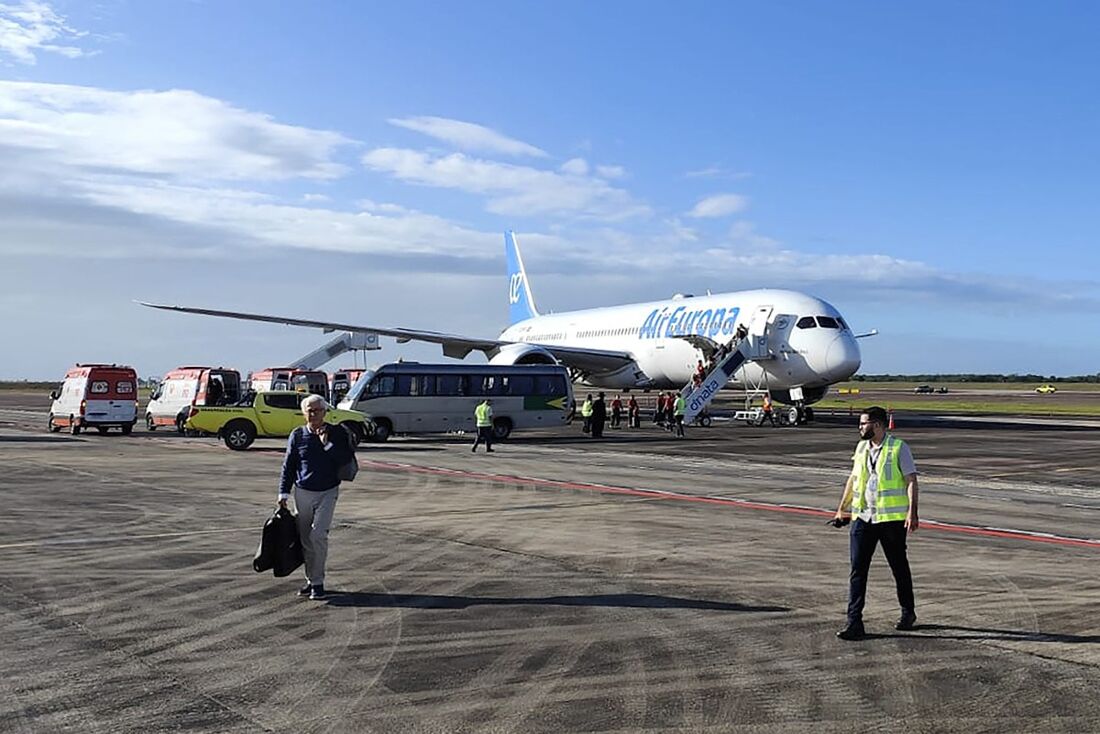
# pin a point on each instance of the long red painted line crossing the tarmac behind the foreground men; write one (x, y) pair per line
(730, 502)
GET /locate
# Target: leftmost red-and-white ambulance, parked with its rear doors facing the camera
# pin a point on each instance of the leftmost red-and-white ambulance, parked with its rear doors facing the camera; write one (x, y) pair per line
(98, 397)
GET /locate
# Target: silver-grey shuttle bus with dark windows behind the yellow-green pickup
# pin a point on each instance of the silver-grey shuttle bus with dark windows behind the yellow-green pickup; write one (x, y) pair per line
(410, 398)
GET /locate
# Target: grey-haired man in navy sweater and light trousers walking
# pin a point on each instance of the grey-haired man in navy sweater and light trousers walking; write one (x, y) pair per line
(315, 453)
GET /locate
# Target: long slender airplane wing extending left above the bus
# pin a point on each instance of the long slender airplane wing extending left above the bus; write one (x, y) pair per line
(587, 360)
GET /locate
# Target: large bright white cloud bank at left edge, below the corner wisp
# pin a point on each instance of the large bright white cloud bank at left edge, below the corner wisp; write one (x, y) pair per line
(174, 134)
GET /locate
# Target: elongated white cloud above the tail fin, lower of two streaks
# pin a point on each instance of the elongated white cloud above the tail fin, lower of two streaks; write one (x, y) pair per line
(514, 191)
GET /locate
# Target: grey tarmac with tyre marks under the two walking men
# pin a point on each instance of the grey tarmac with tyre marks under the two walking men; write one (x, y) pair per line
(639, 584)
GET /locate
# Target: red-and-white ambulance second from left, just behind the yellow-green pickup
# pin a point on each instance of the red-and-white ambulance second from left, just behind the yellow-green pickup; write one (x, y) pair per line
(188, 387)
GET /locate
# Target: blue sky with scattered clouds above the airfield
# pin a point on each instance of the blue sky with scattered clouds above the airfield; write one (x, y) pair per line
(930, 169)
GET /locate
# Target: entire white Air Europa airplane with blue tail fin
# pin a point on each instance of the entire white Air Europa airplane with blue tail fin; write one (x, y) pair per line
(802, 344)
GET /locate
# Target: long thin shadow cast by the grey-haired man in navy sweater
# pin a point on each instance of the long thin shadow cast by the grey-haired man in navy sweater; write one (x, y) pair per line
(443, 602)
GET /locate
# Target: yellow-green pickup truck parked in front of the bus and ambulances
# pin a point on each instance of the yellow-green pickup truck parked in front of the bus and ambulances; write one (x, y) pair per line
(272, 413)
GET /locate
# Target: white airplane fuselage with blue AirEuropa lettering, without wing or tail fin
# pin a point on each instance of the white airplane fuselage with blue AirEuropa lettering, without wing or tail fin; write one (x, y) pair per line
(811, 354)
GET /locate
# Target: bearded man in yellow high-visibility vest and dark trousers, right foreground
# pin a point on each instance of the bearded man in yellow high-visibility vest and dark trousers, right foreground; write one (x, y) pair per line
(883, 496)
